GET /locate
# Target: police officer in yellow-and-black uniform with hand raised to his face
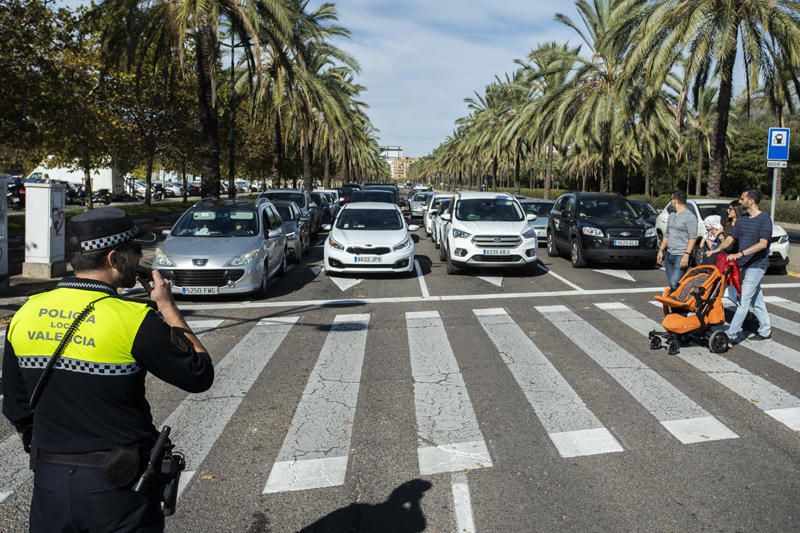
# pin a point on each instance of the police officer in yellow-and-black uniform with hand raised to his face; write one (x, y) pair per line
(91, 431)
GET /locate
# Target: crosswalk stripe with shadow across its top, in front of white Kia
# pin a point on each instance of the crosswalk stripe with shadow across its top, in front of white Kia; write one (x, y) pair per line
(315, 451)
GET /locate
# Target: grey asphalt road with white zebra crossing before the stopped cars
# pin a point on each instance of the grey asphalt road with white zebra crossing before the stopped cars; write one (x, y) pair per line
(488, 401)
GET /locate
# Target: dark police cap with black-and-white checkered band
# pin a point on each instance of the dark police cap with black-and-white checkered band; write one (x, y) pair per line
(103, 228)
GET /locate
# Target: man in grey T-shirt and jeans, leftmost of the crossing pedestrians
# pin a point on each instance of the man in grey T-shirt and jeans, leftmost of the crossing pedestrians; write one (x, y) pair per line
(679, 239)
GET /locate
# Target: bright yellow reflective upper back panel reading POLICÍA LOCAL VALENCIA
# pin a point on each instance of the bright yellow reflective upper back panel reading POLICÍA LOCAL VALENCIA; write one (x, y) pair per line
(102, 343)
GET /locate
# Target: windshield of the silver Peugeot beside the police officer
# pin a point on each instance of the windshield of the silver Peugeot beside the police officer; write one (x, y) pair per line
(219, 222)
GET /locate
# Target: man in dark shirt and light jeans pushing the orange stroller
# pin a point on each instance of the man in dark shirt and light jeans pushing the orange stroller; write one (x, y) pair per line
(752, 233)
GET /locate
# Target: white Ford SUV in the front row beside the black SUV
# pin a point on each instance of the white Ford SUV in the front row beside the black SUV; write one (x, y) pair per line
(488, 230)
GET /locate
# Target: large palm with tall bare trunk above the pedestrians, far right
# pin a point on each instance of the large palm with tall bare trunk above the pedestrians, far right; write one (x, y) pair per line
(712, 33)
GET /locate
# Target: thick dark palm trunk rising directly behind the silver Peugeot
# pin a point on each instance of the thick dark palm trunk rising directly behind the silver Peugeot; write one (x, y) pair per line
(209, 121)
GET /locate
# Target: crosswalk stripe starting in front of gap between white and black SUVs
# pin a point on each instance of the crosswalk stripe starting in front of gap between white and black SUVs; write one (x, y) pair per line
(681, 416)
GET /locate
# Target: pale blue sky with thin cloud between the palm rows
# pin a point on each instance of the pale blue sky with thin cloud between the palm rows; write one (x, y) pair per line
(421, 58)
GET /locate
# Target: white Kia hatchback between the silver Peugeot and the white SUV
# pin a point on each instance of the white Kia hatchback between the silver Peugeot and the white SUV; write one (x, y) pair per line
(369, 237)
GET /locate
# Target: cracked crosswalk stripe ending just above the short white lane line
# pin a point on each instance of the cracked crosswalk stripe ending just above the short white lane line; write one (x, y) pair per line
(450, 439)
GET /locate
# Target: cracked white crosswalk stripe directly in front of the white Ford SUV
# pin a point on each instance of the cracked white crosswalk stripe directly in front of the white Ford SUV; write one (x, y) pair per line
(573, 428)
